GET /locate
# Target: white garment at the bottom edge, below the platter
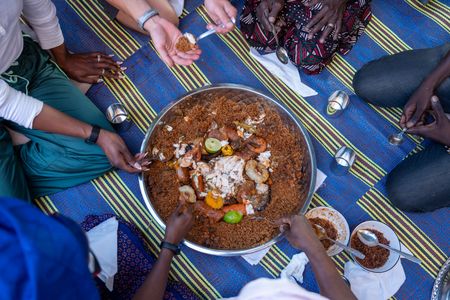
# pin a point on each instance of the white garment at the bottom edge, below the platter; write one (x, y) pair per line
(279, 289)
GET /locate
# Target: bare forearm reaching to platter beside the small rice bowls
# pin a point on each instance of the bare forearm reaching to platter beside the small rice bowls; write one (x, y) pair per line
(330, 281)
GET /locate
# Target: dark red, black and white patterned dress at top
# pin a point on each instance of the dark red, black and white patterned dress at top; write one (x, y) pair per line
(310, 55)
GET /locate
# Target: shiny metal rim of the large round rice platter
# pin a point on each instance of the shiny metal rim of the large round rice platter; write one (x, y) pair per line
(232, 90)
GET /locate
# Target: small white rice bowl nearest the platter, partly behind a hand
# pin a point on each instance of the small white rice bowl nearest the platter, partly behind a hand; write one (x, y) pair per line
(334, 224)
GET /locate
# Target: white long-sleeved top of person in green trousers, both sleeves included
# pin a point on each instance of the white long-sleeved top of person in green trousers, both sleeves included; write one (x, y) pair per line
(41, 14)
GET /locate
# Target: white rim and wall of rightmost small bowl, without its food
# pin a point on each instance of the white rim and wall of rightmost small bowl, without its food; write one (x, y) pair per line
(390, 235)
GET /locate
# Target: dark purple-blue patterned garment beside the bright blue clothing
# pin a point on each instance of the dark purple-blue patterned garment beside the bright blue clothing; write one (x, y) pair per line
(134, 263)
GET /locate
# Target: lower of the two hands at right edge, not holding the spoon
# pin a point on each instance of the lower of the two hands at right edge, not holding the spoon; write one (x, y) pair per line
(439, 130)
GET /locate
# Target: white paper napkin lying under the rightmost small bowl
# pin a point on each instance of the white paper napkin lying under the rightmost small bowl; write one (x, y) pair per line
(375, 286)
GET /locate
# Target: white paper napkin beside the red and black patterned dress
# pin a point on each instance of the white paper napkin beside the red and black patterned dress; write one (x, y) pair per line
(287, 73)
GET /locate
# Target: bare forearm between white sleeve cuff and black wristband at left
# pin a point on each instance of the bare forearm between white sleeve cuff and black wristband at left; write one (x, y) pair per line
(54, 121)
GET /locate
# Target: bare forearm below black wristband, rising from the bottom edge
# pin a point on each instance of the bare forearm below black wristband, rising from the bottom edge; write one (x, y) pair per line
(155, 284)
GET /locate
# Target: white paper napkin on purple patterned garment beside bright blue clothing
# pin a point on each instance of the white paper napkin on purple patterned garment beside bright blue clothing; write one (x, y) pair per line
(103, 242)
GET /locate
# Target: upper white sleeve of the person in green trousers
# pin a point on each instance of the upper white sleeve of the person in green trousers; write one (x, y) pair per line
(41, 14)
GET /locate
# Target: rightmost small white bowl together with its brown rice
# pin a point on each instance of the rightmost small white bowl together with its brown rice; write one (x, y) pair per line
(378, 260)
